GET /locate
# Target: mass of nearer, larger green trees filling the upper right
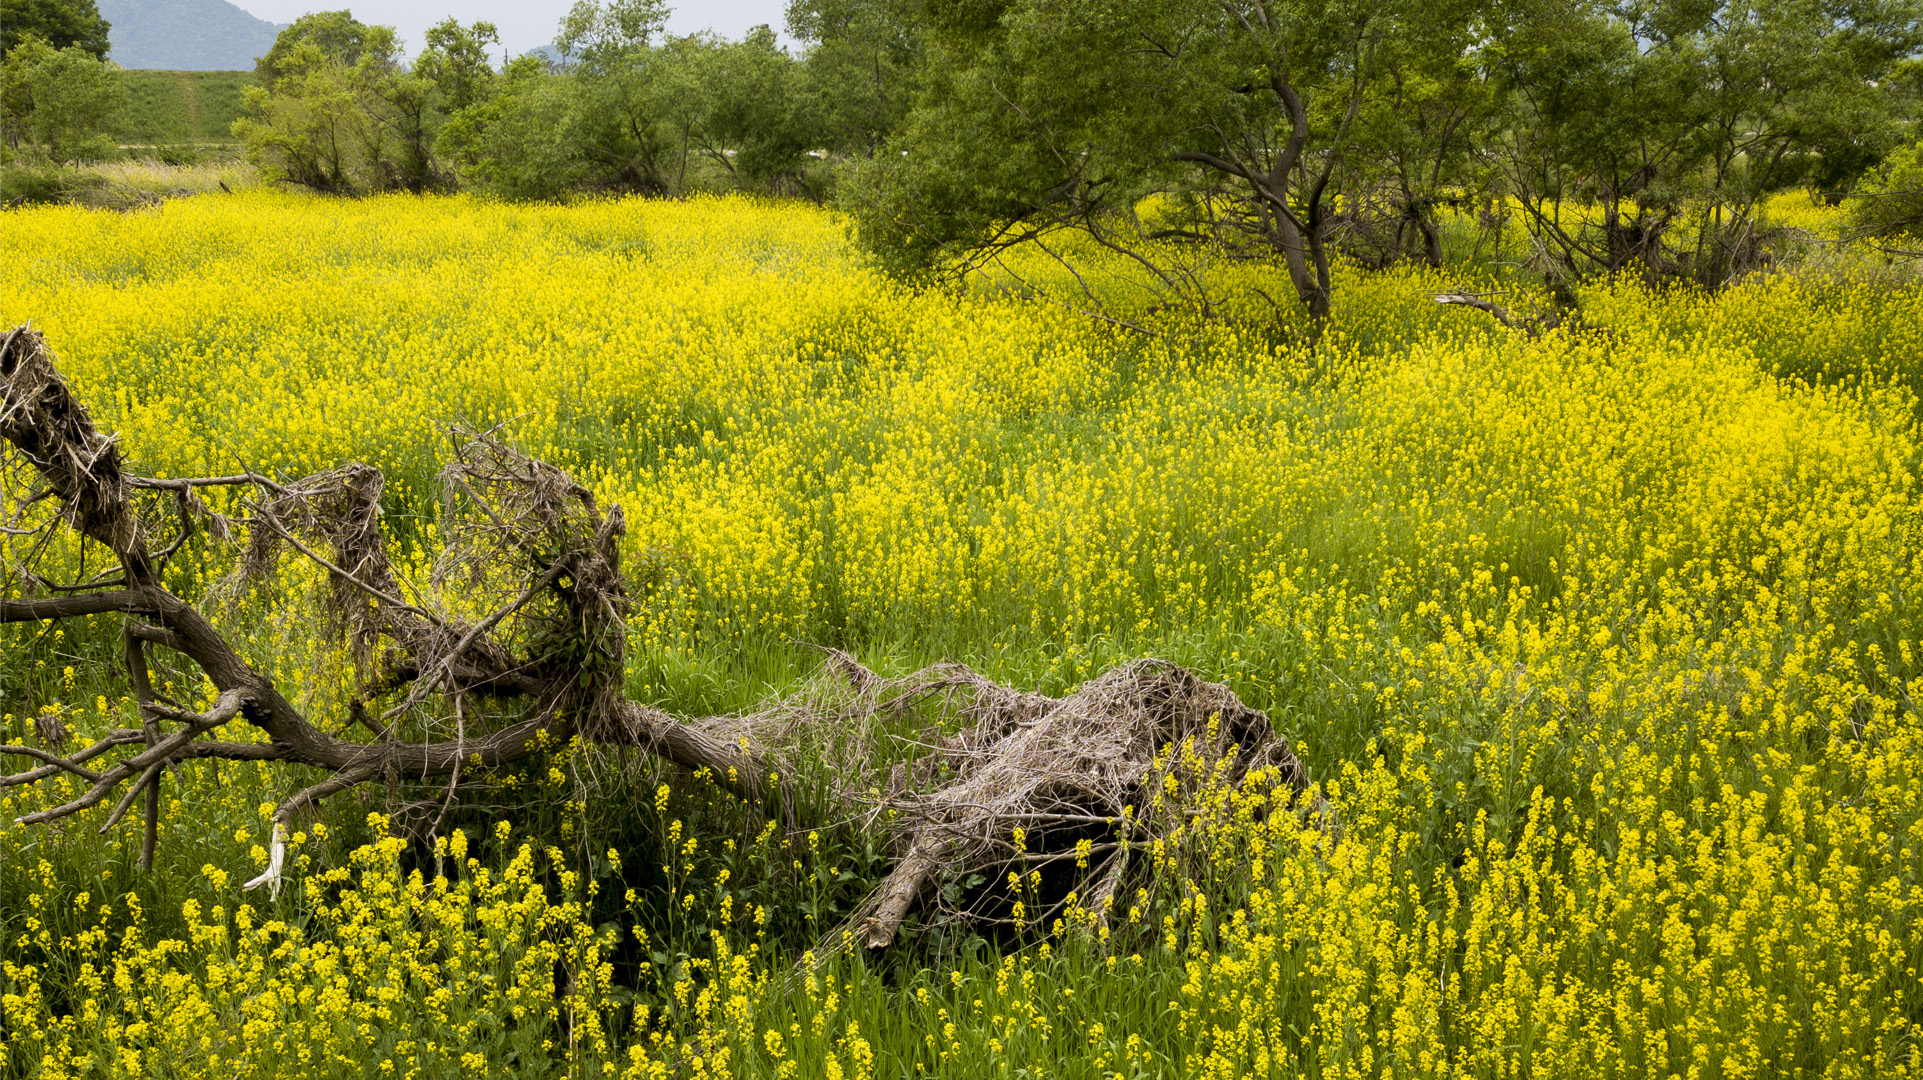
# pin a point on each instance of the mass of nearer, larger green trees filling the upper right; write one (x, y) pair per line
(1284, 130)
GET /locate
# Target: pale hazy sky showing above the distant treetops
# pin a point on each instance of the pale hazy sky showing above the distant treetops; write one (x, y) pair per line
(524, 24)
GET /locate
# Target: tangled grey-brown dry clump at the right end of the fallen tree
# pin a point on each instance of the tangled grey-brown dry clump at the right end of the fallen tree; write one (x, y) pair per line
(1041, 781)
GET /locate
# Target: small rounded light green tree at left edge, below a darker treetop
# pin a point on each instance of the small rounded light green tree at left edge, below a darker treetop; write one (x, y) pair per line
(61, 101)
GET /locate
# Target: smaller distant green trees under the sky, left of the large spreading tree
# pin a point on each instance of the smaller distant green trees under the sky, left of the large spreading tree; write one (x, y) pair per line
(630, 110)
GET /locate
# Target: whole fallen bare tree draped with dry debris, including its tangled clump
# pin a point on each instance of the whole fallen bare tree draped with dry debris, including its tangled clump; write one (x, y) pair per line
(518, 645)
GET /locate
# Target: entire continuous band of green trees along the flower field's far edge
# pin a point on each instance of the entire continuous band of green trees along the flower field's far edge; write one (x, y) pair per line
(1626, 135)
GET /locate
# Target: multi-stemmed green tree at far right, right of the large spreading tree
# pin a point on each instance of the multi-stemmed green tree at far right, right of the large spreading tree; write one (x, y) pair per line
(1662, 114)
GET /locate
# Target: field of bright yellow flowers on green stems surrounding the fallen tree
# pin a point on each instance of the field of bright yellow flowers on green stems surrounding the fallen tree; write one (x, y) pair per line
(1605, 650)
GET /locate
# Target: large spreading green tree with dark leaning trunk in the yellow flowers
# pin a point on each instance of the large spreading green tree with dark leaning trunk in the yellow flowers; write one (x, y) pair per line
(1043, 116)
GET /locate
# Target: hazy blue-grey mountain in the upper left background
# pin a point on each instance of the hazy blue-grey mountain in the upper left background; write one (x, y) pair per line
(186, 36)
